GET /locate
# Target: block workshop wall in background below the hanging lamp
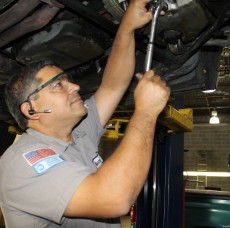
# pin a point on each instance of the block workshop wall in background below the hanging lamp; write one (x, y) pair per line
(207, 148)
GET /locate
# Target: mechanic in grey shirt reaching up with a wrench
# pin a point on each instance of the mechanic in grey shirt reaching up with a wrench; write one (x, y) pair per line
(53, 176)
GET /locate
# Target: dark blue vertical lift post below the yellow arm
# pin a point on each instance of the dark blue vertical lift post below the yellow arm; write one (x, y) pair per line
(169, 203)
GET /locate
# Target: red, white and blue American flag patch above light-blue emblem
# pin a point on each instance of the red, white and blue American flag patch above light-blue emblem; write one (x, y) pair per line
(34, 156)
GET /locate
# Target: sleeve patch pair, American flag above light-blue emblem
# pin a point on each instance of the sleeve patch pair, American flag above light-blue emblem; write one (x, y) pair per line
(42, 159)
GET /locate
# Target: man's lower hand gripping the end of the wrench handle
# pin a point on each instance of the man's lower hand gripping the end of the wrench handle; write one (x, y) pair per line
(151, 94)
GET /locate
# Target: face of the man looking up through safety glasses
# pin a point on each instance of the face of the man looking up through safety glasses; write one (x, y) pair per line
(61, 96)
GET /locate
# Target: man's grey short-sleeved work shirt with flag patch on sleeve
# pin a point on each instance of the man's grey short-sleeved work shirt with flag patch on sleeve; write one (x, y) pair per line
(39, 174)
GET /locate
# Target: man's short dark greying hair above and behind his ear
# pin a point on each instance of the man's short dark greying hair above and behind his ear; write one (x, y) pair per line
(20, 86)
